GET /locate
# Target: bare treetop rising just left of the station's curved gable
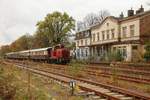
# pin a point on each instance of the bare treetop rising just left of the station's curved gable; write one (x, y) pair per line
(102, 15)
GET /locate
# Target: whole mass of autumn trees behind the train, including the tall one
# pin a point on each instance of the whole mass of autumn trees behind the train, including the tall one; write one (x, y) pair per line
(54, 29)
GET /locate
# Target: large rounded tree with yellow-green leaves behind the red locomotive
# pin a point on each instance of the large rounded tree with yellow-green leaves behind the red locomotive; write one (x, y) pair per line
(56, 27)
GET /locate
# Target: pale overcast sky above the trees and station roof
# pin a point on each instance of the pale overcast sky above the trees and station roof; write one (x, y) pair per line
(18, 17)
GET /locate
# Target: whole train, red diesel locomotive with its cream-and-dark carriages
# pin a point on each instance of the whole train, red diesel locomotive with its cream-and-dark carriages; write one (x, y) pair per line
(56, 54)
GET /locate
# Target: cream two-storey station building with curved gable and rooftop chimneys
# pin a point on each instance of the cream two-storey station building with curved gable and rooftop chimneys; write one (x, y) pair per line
(126, 34)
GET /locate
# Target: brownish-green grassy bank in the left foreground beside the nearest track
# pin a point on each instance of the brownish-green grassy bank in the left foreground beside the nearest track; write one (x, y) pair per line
(20, 84)
